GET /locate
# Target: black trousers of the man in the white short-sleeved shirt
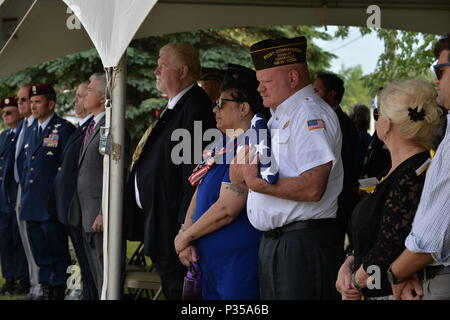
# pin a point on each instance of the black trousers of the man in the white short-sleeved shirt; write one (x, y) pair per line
(301, 264)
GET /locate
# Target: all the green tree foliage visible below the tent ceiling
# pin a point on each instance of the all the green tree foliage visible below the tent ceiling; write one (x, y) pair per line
(406, 55)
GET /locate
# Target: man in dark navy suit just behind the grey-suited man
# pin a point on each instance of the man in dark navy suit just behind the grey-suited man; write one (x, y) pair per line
(65, 186)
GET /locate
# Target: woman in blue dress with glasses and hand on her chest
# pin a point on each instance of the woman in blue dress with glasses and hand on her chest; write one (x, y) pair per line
(217, 233)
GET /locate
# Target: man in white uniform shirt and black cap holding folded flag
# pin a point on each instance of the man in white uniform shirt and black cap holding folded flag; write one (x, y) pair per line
(299, 254)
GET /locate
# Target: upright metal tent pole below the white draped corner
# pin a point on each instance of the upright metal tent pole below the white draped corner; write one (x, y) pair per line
(116, 184)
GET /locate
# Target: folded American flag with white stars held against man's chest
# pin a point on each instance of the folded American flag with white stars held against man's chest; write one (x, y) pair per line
(258, 138)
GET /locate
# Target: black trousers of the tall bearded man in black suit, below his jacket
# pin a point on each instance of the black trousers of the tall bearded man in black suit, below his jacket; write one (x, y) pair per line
(172, 273)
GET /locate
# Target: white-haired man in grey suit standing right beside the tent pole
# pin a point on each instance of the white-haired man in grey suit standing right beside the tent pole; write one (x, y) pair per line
(86, 205)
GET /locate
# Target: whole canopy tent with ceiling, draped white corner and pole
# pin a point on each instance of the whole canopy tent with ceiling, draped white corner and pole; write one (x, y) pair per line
(34, 31)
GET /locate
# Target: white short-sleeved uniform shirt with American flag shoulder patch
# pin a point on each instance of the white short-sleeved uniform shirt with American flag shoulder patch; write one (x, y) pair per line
(298, 146)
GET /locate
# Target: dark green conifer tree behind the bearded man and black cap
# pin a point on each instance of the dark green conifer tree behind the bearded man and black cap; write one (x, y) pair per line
(217, 47)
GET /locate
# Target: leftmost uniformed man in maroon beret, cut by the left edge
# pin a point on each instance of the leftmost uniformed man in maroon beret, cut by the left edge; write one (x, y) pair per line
(13, 259)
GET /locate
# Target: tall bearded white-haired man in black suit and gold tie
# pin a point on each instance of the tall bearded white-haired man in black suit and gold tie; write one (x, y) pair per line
(158, 190)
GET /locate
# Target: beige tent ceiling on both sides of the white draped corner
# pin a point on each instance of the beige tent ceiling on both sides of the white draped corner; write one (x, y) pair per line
(44, 34)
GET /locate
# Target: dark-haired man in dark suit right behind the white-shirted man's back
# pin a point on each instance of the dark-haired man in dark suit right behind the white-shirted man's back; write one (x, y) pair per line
(331, 89)
